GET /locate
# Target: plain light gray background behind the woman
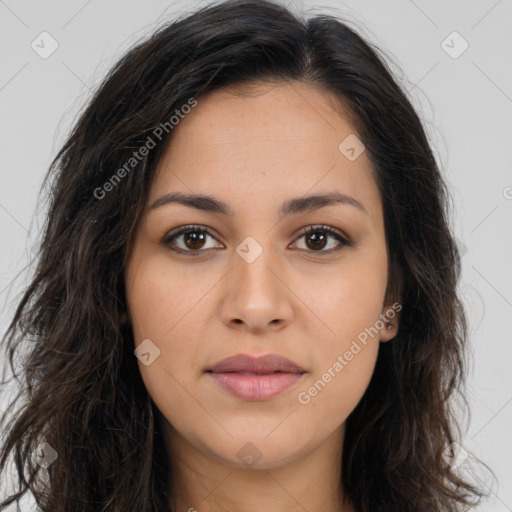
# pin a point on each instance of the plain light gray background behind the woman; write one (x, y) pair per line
(466, 104)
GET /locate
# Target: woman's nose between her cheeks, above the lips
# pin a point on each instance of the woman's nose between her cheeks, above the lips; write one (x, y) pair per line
(256, 296)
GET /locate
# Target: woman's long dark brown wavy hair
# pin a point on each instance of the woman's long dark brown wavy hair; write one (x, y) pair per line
(82, 392)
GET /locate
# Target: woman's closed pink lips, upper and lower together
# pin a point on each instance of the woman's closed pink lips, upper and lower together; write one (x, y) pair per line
(255, 378)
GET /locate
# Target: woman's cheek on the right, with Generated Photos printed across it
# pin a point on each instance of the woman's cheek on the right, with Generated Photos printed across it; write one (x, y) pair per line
(346, 311)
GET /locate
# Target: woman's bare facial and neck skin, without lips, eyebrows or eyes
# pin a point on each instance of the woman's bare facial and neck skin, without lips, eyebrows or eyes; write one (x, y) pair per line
(254, 152)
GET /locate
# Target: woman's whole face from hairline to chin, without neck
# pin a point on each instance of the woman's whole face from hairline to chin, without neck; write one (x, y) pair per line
(252, 281)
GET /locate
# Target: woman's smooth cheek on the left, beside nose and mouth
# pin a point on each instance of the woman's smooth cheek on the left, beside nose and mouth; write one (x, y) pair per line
(164, 306)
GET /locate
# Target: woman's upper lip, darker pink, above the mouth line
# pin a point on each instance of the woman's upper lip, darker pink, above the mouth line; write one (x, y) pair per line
(264, 364)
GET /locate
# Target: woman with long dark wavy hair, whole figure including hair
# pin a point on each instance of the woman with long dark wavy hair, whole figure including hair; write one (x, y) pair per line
(246, 292)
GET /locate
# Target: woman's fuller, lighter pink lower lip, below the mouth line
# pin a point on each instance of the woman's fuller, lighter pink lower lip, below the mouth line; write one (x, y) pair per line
(255, 386)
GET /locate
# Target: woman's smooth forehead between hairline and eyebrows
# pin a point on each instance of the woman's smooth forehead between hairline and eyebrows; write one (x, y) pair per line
(266, 142)
